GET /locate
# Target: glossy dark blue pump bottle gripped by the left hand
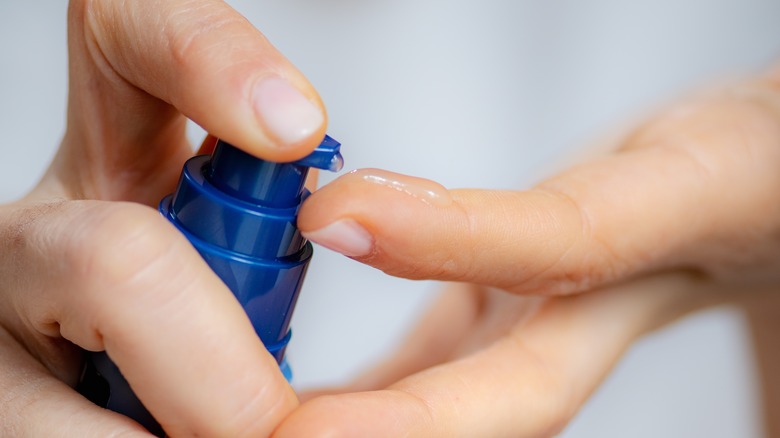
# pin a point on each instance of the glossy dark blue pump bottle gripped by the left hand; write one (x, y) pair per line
(240, 213)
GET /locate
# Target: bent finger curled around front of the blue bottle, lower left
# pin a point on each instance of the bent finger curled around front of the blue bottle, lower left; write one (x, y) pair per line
(171, 326)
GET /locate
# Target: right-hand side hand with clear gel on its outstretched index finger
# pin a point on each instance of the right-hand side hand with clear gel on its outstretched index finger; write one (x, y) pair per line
(682, 216)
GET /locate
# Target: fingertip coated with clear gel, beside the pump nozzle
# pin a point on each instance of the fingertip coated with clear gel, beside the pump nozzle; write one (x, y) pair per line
(381, 218)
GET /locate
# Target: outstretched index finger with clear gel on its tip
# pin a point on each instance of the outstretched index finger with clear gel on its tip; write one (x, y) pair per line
(415, 228)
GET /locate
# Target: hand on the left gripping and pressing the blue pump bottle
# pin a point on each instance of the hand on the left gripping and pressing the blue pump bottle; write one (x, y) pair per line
(83, 270)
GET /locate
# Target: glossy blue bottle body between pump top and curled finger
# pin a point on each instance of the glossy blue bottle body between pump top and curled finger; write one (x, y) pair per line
(256, 250)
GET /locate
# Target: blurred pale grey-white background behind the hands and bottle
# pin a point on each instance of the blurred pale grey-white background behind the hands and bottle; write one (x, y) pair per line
(491, 94)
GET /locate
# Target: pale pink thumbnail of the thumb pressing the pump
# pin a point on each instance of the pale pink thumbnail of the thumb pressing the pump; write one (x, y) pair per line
(285, 112)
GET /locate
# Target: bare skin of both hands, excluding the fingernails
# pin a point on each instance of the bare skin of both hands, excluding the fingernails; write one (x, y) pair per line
(681, 216)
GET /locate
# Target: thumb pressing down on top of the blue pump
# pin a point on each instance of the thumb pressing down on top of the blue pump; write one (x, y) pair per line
(247, 92)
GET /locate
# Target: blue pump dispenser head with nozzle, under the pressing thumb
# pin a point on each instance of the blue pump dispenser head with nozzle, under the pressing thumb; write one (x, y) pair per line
(243, 204)
